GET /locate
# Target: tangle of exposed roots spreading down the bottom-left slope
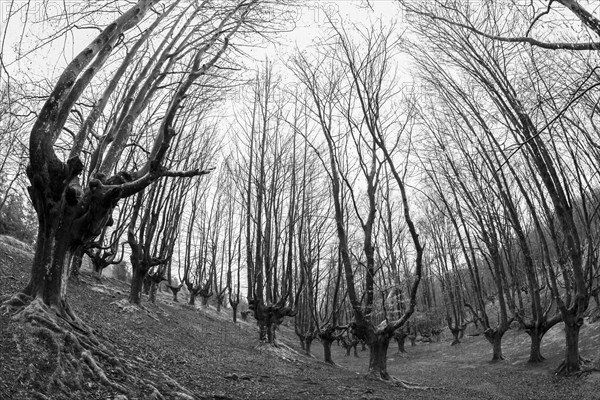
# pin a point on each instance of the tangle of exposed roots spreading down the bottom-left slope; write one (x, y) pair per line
(70, 360)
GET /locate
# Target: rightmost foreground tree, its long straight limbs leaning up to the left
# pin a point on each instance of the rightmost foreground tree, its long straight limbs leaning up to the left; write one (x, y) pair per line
(549, 169)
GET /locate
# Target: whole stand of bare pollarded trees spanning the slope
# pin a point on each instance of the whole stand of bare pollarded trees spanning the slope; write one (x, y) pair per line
(311, 214)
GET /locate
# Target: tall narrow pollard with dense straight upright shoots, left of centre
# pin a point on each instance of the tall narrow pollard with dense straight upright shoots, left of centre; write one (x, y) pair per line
(271, 195)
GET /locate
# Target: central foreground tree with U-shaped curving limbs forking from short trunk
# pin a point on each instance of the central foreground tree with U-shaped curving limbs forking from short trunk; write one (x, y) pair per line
(354, 81)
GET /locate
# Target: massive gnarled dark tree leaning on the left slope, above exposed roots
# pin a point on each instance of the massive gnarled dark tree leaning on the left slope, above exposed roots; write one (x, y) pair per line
(69, 215)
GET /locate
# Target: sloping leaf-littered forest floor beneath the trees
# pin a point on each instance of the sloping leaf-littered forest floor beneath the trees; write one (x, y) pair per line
(194, 353)
